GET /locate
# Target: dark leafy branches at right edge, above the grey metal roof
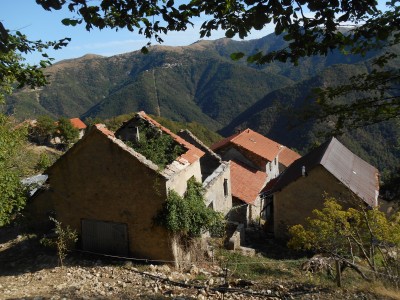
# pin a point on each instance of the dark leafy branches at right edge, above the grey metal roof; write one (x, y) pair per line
(376, 99)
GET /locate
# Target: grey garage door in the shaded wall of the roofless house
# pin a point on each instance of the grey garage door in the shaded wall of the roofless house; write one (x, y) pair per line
(104, 237)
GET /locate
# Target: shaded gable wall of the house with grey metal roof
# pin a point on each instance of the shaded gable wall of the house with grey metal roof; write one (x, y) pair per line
(296, 201)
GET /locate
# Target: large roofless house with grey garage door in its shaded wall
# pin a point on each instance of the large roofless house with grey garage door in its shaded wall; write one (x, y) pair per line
(110, 193)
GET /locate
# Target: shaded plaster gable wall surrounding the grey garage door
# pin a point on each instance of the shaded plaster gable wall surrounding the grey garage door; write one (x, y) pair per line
(98, 180)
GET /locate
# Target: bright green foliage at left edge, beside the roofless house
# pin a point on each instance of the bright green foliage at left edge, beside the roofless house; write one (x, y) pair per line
(12, 192)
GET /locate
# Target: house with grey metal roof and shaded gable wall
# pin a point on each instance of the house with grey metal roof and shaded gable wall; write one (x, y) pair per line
(330, 169)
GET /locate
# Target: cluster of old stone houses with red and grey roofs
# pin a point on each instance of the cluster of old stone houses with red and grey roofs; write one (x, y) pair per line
(109, 193)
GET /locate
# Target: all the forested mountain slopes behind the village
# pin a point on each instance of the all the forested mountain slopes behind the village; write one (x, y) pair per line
(201, 83)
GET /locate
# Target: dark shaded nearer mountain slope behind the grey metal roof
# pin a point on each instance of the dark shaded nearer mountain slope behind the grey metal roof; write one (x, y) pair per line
(278, 115)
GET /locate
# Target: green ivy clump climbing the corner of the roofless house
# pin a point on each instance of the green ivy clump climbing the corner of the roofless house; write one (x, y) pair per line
(188, 216)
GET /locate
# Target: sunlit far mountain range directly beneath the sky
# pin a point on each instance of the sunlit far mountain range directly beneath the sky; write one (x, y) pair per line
(198, 82)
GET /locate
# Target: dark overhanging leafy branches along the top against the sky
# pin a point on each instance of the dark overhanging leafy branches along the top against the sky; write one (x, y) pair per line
(310, 26)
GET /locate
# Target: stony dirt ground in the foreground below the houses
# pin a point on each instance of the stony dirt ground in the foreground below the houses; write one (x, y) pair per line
(30, 271)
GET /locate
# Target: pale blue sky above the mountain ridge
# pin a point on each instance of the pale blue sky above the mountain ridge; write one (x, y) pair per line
(36, 23)
